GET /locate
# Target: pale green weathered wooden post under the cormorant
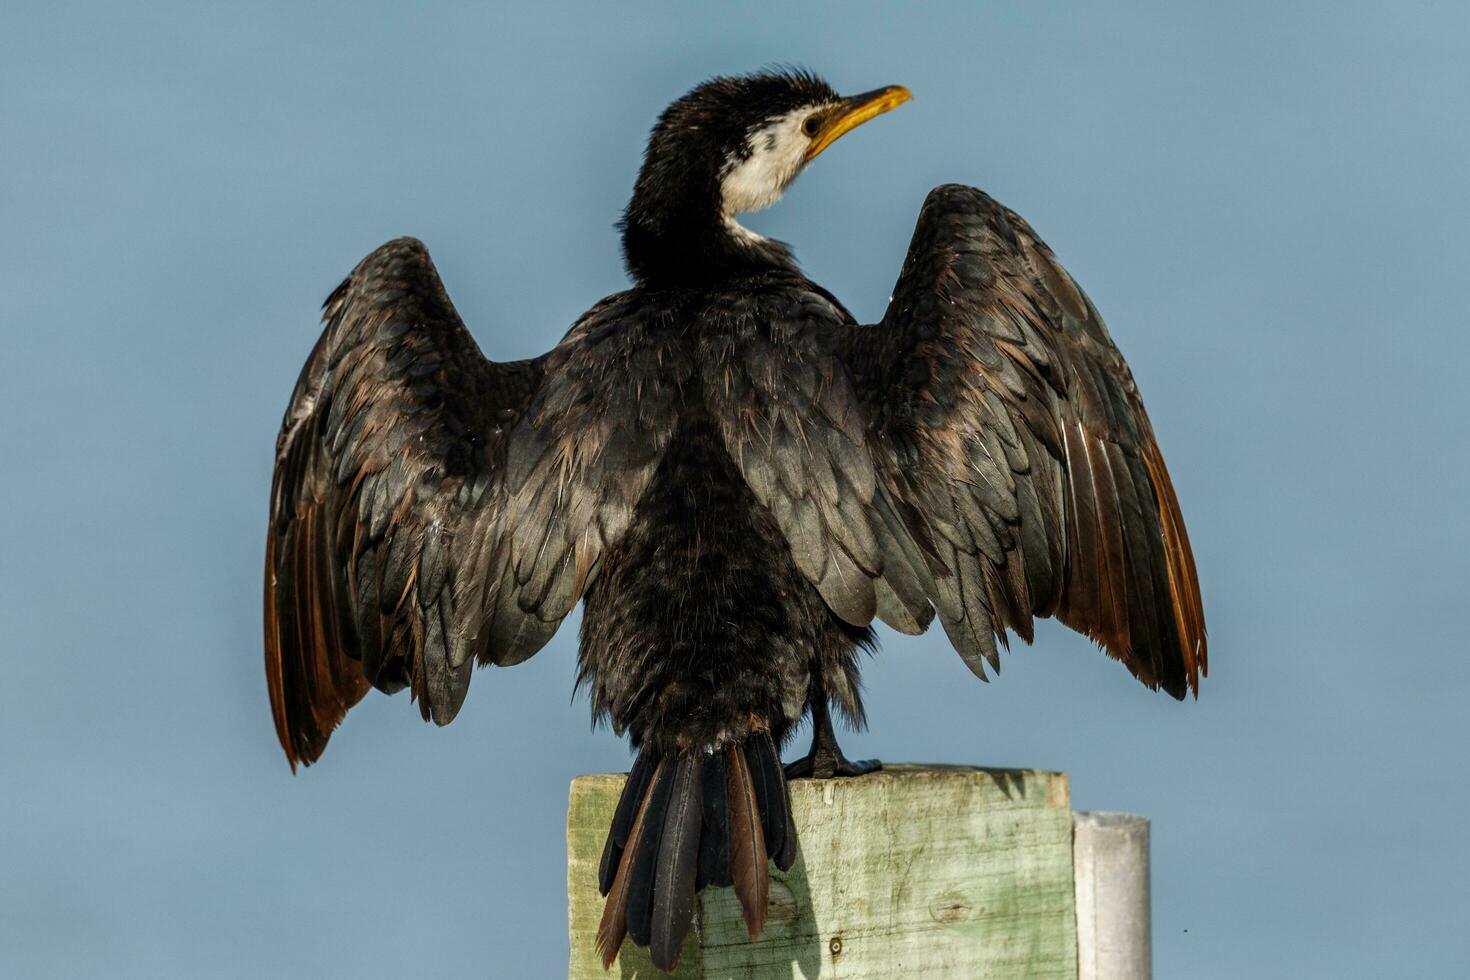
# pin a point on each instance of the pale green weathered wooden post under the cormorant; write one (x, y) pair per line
(930, 872)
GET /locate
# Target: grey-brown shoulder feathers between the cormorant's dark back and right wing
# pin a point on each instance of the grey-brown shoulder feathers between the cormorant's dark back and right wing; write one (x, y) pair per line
(792, 422)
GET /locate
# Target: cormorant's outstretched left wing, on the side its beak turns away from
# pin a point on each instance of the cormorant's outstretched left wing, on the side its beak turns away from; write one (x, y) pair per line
(430, 508)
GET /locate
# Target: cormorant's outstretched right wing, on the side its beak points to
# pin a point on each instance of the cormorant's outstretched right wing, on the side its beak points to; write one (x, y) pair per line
(1012, 436)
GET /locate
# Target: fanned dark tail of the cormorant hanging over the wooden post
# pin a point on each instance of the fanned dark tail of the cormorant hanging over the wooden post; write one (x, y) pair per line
(686, 822)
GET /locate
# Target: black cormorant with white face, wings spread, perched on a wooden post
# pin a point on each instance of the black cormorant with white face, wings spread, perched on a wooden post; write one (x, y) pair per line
(736, 478)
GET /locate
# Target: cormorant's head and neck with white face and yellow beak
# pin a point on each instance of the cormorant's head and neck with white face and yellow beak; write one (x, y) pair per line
(728, 148)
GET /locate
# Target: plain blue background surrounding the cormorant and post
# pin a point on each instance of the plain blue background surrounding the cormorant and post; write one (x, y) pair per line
(1268, 202)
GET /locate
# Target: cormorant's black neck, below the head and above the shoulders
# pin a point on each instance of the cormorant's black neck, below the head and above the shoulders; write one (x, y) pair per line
(687, 240)
